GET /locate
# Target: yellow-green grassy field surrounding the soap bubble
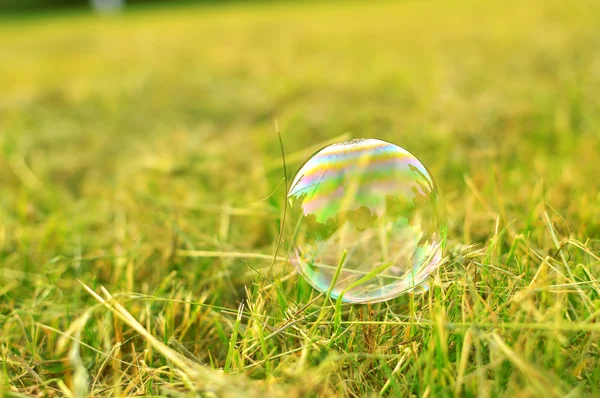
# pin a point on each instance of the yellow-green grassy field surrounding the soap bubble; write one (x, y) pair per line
(141, 195)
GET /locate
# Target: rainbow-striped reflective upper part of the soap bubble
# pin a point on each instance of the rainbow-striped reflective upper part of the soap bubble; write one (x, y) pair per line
(368, 170)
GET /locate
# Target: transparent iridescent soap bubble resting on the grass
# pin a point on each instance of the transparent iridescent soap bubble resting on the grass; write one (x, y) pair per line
(366, 221)
